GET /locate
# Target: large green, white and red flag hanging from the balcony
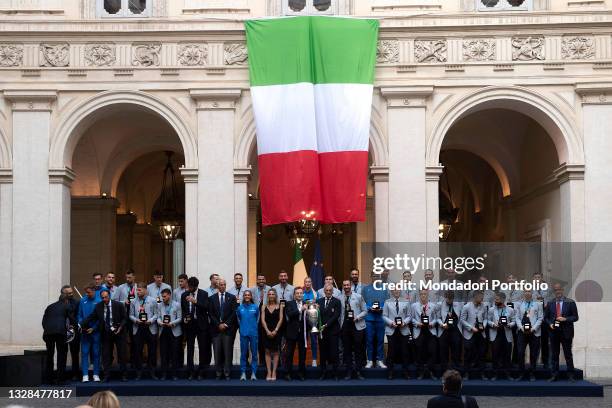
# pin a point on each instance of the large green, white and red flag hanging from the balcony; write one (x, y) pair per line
(311, 88)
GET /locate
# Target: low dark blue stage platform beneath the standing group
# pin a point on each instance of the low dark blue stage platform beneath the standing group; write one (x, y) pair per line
(375, 383)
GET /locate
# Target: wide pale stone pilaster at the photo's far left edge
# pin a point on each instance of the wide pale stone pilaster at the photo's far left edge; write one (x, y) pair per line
(30, 249)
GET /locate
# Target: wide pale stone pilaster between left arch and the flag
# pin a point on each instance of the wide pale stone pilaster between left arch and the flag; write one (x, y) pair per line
(216, 192)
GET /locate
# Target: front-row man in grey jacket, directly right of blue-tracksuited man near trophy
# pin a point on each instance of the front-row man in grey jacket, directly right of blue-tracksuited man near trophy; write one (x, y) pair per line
(397, 315)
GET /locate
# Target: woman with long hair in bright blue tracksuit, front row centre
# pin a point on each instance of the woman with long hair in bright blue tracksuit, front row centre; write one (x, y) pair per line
(248, 319)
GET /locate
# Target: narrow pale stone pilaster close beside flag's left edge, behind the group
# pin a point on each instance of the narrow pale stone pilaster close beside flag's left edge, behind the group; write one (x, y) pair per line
(241, 213)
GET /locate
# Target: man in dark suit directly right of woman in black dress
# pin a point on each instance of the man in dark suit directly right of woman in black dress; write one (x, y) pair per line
(294, 333)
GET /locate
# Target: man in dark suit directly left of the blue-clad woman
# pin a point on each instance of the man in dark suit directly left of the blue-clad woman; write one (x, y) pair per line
(222, 312)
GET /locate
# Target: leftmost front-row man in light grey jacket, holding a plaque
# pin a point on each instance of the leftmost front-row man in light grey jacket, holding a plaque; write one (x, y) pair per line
(143, 314)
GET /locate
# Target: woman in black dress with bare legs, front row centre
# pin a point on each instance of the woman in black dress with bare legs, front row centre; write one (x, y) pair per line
(271, 320)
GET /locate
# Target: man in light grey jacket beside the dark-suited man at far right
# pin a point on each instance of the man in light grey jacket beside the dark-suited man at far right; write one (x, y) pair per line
(528, 317)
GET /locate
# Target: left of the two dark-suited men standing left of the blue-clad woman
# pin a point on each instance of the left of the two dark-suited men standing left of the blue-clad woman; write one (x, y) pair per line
(194, 307)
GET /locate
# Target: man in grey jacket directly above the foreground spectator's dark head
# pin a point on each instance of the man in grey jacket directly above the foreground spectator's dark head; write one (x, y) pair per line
(449, 332)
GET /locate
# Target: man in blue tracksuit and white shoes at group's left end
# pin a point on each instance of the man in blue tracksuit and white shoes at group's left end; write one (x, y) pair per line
(90, 338)
